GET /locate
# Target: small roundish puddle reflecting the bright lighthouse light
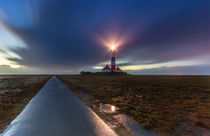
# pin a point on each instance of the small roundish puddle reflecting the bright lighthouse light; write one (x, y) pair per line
(107, 108)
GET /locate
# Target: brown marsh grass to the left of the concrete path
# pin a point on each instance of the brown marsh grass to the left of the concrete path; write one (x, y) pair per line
(15, 93)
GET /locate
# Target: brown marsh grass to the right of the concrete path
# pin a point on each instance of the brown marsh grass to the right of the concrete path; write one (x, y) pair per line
(168, 105)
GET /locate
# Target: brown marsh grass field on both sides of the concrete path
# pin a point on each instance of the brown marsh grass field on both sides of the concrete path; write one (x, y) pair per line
(167, 105)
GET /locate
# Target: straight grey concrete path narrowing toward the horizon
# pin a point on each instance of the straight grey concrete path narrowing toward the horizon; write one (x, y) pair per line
(56, 111)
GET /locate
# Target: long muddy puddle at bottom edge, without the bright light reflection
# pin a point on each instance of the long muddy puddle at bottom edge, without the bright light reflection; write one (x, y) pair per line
(133, 126)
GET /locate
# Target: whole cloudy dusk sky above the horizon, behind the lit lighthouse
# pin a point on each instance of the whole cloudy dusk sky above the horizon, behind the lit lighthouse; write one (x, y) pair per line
(67, 36)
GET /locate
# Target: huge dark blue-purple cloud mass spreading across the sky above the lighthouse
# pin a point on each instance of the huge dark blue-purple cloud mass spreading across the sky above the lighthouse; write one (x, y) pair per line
(63, 33)
